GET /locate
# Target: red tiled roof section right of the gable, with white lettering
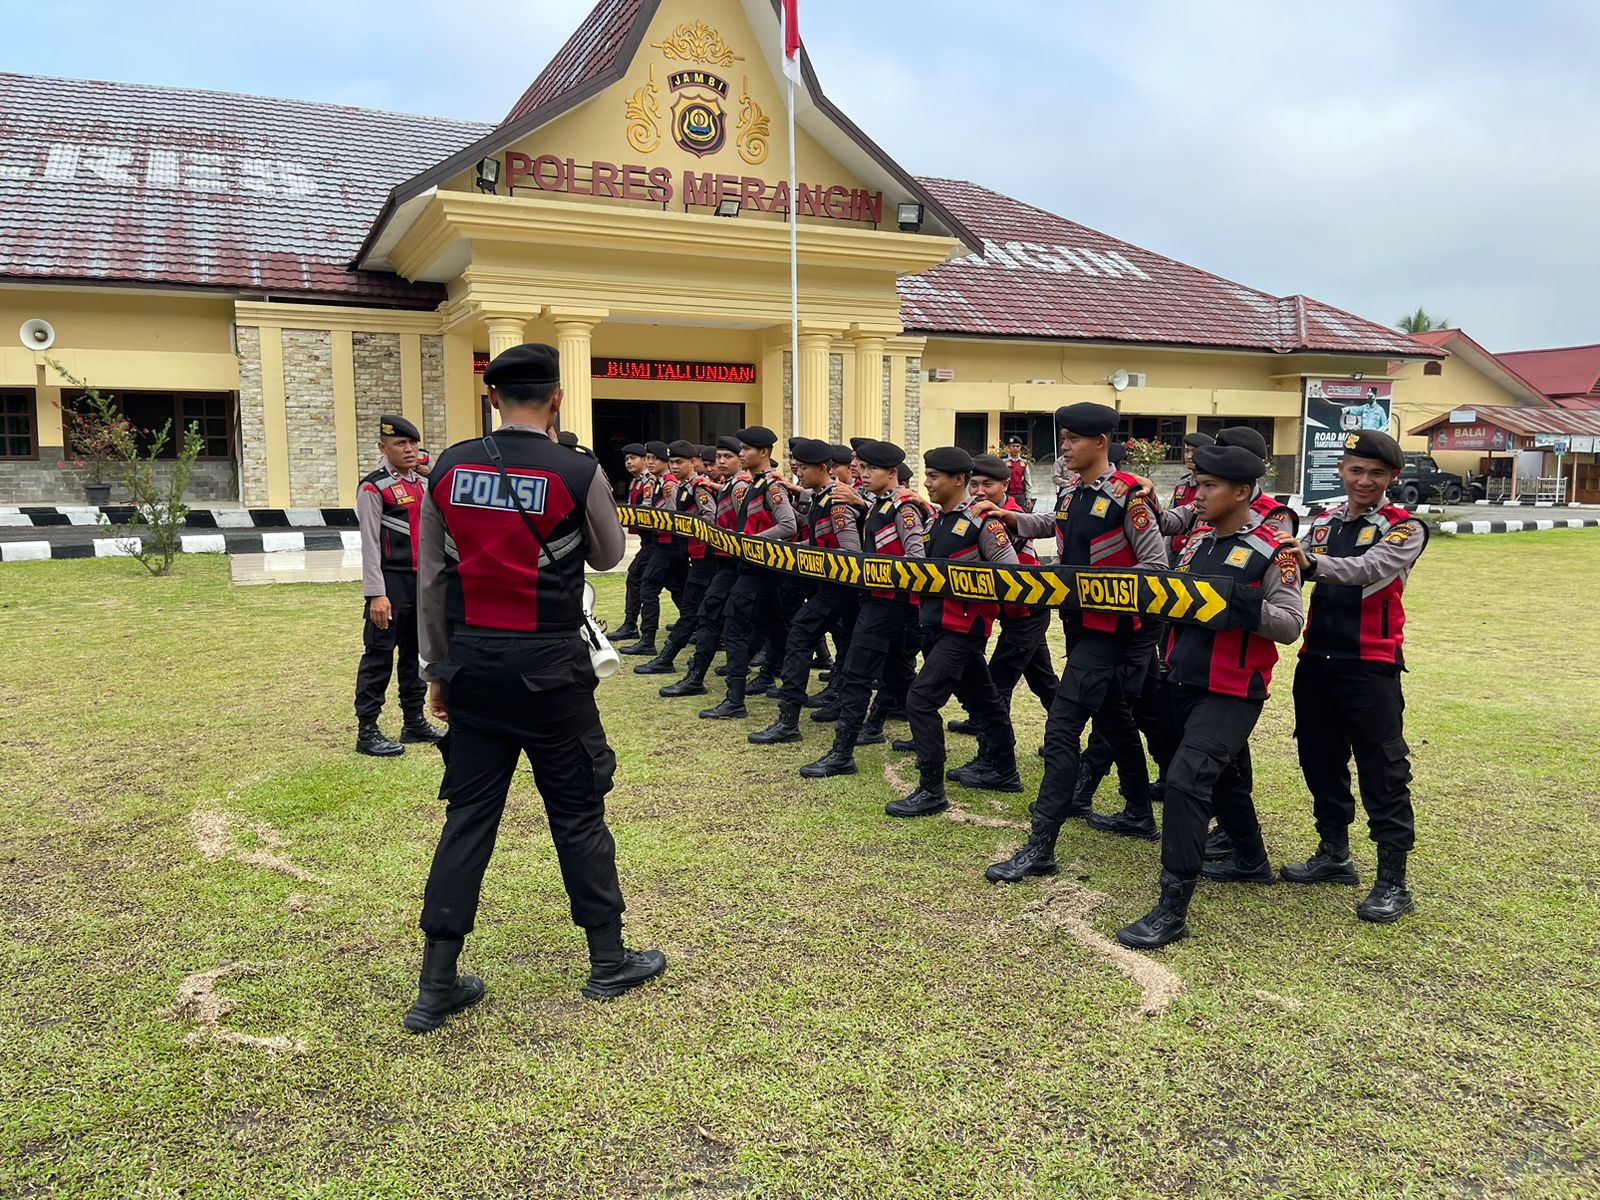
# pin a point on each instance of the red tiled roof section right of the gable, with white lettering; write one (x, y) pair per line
(1042, 276)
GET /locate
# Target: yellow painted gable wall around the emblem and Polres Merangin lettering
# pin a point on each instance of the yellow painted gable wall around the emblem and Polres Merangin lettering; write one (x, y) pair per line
(599, 130)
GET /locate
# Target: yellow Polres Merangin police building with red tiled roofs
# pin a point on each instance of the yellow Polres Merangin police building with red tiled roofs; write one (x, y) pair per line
(281, 273)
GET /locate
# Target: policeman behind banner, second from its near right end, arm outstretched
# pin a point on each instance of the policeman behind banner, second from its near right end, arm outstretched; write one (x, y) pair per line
(1103, 524)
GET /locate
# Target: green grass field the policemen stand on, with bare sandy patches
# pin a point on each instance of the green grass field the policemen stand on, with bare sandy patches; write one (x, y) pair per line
(850, 1012)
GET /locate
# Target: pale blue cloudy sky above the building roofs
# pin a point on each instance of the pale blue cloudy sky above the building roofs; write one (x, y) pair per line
(1375, 154)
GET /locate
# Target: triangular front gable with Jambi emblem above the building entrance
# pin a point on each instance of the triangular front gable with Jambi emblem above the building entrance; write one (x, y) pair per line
(850, 178)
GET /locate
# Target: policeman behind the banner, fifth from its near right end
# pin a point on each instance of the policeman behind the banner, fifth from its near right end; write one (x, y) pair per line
(833, 526)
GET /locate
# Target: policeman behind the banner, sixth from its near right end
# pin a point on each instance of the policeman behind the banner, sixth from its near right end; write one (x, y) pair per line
(751, 612)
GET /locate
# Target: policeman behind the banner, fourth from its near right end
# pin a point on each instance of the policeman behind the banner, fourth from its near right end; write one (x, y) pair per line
(878, 647)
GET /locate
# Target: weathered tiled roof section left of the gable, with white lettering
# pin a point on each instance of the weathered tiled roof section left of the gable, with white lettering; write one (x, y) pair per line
(138, 185)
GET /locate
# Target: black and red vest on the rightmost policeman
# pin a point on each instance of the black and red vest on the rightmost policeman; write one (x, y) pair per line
(1346, 620)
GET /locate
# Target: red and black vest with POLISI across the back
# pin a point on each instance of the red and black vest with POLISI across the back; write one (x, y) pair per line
(497, 575)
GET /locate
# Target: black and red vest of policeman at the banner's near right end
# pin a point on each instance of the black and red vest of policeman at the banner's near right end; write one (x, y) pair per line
(1233, 662)
